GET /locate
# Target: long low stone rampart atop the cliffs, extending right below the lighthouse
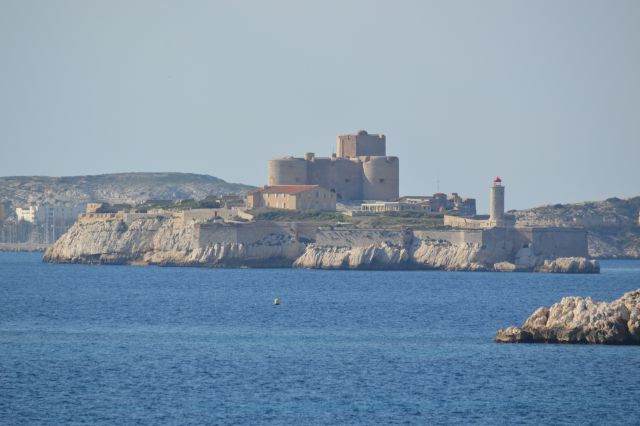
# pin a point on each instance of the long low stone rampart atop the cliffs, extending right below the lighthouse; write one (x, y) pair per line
(496, 244)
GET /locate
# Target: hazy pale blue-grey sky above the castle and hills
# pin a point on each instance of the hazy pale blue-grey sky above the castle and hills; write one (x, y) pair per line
(545, 94)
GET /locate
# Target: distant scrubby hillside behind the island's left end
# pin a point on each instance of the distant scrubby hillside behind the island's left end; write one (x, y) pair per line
(133, 188)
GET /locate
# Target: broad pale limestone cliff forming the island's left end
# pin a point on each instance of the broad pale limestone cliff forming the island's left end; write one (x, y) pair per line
(165, 241)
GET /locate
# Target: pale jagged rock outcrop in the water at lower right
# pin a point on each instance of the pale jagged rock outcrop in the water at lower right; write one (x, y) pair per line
(581, 320)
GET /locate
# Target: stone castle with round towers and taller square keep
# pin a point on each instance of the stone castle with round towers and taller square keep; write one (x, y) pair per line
(360, 169)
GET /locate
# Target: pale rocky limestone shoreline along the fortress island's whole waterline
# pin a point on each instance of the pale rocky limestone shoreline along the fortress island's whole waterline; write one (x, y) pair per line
(174, 241)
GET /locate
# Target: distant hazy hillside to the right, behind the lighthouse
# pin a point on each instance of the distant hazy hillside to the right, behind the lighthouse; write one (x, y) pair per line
(612, 224)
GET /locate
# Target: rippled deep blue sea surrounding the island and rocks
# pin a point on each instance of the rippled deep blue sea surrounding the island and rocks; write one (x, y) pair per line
(150, 345)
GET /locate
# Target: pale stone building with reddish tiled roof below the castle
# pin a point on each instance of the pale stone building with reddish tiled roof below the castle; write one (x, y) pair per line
(293, 197)
